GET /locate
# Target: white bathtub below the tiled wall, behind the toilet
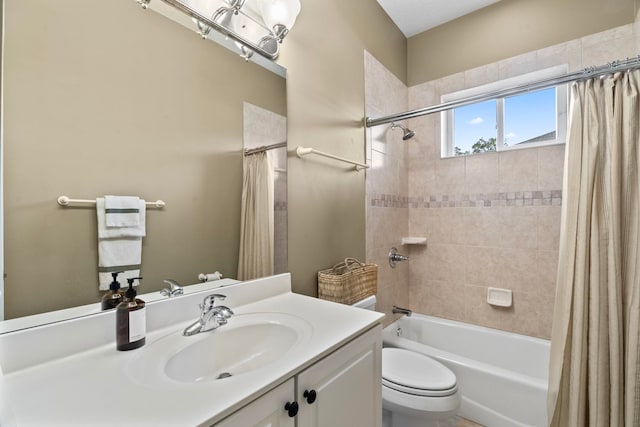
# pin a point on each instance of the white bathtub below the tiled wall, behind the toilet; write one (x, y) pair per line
(502, 376)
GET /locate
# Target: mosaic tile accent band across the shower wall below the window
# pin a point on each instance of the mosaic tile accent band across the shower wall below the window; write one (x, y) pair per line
(486, 200)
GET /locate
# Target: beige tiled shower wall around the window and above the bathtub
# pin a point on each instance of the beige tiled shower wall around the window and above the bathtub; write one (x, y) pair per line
(491, 219)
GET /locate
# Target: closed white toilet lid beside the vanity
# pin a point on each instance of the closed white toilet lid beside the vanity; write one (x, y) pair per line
(415, 373)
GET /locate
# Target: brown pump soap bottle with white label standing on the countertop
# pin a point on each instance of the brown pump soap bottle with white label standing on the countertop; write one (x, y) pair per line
(131, 321)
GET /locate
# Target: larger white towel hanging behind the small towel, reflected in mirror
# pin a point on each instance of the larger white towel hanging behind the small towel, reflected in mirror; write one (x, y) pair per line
(119, 248)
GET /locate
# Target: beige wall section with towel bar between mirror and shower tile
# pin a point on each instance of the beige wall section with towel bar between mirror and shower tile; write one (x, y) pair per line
(325, 97)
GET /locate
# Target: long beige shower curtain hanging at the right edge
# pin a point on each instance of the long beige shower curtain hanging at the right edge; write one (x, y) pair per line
(594, 367)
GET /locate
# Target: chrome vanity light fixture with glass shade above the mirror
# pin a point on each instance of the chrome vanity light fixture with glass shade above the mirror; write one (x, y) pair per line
(255, 25)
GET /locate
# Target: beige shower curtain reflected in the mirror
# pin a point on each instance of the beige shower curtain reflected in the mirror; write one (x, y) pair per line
(256, 218)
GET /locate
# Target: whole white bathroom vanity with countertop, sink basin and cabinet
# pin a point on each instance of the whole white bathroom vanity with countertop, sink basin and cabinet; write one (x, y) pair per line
(282, 360)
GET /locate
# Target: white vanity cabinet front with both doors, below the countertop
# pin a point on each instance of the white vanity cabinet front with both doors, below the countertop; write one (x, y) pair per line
(341, 390)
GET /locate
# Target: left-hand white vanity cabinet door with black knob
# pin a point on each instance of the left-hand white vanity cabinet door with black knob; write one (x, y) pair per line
(266, 411)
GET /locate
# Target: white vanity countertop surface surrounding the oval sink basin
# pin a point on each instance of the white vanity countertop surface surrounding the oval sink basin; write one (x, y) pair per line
(92, 387)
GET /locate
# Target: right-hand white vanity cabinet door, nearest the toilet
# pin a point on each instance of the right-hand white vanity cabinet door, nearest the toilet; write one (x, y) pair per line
(344, 389)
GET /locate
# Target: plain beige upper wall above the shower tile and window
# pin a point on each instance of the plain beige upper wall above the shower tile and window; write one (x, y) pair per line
(509, 28)
